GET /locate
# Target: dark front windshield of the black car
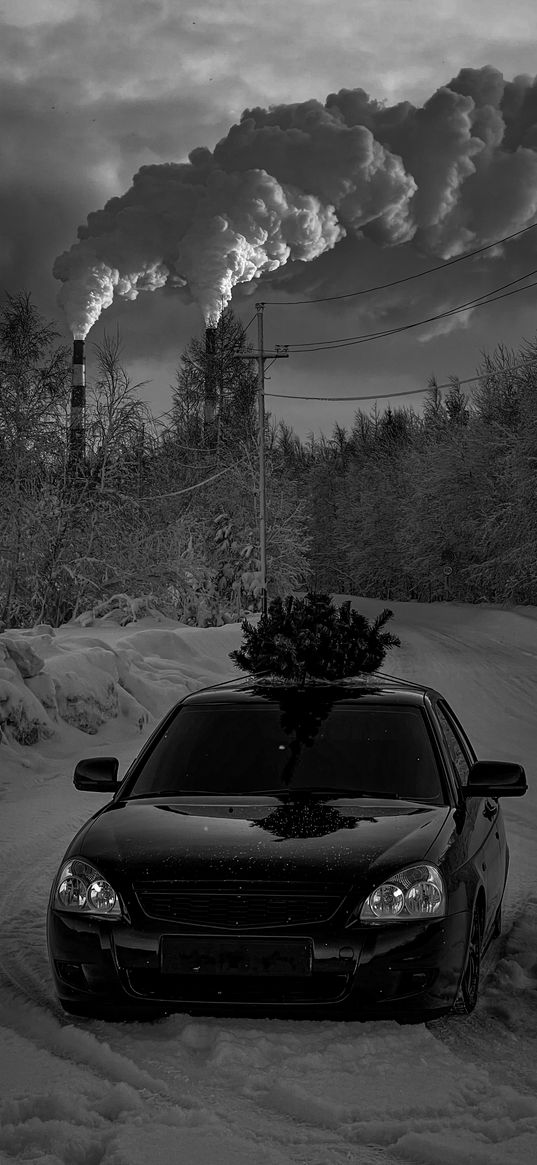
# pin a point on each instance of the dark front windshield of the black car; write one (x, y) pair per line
(241, 751)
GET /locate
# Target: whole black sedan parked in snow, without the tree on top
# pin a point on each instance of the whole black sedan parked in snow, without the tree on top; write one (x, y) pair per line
(330, 850)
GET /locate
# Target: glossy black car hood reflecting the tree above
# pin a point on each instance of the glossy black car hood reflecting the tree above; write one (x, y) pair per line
(260, 838)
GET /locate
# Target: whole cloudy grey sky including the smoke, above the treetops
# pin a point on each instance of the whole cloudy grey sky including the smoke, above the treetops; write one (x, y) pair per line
(310, 201)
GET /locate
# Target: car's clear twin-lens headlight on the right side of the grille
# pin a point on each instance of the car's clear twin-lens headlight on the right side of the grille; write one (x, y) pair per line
(412, 894)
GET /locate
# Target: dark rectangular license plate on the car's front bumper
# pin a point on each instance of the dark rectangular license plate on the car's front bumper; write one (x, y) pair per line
(235, 957)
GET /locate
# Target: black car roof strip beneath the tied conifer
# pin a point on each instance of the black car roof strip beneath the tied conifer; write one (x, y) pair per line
(259, 690)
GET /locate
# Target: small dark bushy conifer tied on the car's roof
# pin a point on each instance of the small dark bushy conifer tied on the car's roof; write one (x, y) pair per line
(313, 638)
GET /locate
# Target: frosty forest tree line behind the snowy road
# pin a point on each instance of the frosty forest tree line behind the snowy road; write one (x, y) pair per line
(437, 505)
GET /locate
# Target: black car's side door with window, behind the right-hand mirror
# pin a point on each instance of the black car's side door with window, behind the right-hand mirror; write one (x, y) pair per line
(486, 834)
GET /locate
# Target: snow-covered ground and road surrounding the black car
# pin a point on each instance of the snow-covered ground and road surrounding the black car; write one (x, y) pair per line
(183, 1091)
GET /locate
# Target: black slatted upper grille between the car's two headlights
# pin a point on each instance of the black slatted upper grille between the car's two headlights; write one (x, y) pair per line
(246, 907)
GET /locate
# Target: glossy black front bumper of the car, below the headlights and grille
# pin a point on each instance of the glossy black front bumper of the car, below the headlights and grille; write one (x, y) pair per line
(405, 971)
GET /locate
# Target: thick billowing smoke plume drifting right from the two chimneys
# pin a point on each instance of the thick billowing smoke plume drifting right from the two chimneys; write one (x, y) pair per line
(292, 182)
